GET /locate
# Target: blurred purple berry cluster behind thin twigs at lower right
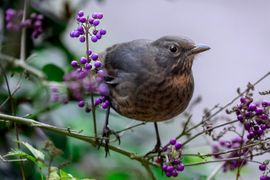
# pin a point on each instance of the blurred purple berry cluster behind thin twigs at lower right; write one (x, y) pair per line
(235, 143)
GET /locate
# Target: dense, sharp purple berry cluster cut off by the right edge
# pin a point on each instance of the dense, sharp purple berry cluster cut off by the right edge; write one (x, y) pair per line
(254, 117)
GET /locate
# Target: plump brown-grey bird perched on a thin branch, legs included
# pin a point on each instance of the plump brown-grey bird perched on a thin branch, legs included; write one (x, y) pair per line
(150, 80)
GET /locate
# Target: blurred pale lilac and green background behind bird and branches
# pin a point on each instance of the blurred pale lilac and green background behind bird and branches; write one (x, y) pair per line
(236, 31)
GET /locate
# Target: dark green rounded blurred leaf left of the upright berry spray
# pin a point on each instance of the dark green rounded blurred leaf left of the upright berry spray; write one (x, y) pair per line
(53, 72)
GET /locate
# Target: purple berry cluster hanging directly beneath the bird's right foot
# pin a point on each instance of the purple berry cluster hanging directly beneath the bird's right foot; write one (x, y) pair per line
(170, 159)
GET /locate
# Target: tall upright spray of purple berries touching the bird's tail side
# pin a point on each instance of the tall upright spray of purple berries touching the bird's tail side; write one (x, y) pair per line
(88, 74)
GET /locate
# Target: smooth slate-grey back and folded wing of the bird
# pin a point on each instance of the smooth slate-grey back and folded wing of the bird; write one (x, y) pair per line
(126, 60)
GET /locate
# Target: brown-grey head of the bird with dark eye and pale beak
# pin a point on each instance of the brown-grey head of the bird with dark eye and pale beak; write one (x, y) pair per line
(176, 54)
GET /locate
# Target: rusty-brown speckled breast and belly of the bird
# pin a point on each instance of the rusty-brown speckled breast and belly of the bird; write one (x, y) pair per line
(158, 98)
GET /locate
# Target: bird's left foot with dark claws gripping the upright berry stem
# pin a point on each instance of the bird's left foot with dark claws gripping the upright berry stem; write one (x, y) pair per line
(105, 140)
